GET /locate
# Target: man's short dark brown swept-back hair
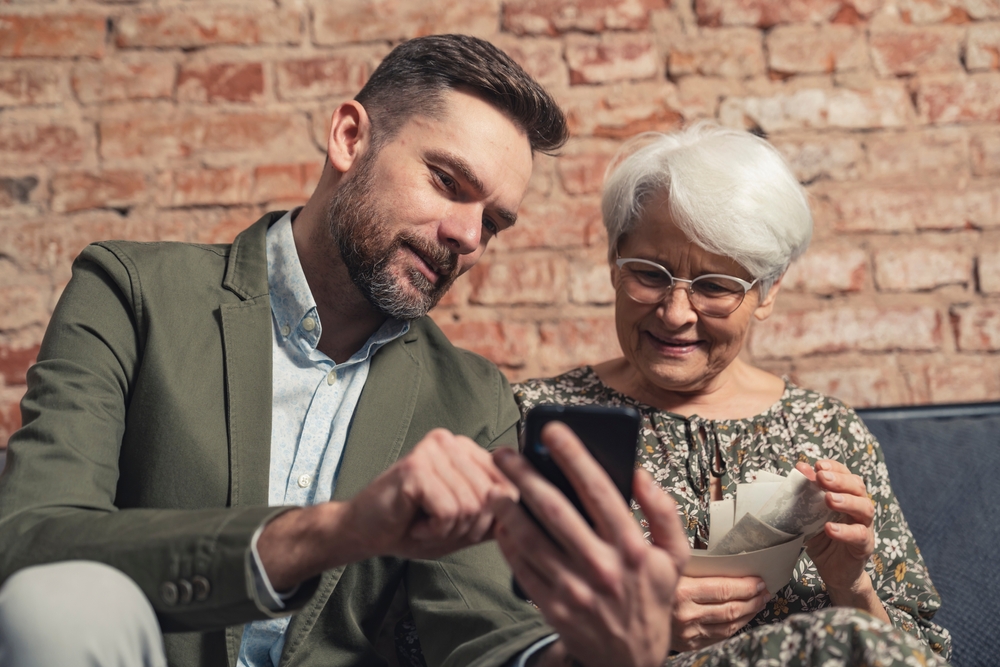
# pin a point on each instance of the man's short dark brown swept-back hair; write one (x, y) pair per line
(413, 77)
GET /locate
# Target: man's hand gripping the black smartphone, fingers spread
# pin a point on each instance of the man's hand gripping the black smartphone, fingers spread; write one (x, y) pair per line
(606, 591)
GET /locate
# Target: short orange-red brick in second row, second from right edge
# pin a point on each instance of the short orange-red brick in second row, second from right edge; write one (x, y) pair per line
(910, 50)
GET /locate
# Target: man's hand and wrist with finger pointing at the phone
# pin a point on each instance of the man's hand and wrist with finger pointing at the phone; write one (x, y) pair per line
(435, 500)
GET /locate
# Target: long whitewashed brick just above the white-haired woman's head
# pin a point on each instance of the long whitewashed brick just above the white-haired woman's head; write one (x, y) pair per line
(882, 105)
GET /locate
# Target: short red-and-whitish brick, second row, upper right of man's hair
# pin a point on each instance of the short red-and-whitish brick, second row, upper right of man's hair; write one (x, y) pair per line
(611, 57)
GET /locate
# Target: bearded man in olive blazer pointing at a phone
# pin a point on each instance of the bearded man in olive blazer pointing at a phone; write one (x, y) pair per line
(271, 427)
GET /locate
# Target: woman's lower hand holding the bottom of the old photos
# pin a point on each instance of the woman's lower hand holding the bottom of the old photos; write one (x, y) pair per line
(710, 609)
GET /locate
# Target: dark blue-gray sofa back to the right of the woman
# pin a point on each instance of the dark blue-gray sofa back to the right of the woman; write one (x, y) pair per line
(944, 463)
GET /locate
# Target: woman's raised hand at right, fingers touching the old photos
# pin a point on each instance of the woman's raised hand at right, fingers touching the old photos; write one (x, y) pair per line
(842, 550)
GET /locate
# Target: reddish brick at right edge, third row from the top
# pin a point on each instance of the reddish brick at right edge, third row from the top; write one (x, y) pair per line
(976, 97)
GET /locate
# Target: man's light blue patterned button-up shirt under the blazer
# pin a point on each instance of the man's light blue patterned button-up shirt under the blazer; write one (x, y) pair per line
(313, 400)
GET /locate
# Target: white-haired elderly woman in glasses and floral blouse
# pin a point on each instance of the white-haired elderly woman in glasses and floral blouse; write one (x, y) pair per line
(701, 226)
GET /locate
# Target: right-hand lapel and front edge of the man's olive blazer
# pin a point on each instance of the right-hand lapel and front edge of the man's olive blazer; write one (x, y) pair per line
(378, 432)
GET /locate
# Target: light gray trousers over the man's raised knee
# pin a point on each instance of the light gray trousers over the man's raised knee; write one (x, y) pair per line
(77, 614)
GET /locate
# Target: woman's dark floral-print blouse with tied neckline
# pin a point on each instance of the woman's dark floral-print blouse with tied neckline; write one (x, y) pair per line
(802, 426)
